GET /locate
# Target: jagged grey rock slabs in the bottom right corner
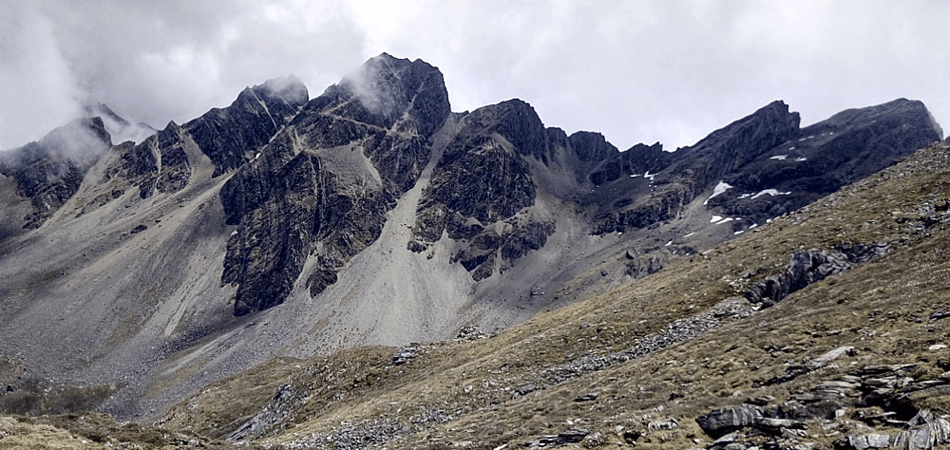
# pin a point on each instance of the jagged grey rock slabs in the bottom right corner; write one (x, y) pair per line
(859, 401)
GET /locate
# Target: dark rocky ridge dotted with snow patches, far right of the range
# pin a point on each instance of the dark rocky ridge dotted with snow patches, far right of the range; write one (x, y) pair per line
(770, 165)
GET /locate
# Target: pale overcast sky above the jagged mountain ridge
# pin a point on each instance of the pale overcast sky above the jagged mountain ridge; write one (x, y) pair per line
(636, 71)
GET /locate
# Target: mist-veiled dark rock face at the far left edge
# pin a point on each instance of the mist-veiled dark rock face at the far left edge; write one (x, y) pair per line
(49, 171)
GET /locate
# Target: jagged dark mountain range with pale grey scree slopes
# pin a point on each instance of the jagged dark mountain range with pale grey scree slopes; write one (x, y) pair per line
(286, 227)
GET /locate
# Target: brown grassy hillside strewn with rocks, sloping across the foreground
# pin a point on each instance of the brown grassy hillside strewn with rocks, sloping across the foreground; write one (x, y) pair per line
(844, 345)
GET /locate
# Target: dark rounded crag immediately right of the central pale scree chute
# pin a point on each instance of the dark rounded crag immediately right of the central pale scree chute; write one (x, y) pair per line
(483, 178)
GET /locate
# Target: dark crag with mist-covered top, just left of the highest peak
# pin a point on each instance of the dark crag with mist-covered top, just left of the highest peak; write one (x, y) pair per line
(231, 136)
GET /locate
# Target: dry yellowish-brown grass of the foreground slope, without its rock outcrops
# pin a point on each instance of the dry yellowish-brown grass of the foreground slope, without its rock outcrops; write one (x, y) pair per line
(882, 308)
